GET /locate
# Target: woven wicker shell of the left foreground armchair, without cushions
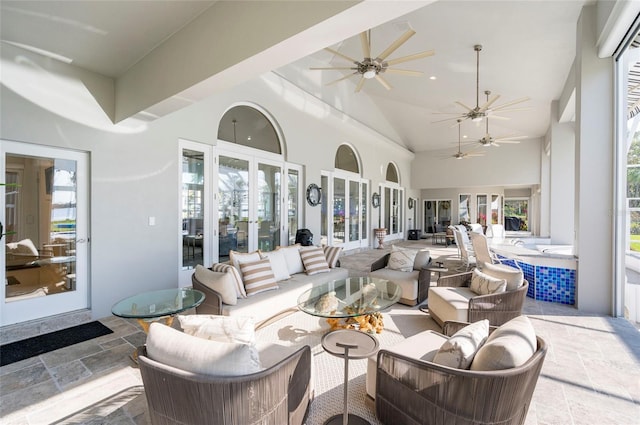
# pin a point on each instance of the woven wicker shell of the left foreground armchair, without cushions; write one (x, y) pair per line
(277, 395)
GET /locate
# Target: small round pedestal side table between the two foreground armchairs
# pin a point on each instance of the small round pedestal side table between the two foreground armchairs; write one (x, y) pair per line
(348, 344)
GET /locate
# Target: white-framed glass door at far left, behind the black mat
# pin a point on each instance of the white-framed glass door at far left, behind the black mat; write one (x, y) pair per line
(46, 235)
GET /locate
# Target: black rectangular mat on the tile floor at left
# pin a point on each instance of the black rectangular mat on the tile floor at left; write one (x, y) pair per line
(20, 350)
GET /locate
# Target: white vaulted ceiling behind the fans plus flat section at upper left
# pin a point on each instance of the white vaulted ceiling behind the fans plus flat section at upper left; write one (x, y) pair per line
(528, 50)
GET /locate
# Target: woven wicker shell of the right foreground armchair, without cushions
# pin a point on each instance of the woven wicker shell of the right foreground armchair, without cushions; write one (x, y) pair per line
(412, 391)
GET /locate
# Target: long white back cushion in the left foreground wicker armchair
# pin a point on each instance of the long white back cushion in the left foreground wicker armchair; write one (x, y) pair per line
(197, 355)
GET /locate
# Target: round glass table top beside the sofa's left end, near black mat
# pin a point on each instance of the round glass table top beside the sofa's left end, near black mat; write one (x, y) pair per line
(164, 302)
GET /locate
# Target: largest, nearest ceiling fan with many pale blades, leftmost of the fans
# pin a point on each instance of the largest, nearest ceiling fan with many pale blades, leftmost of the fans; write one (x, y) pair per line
(369, 68)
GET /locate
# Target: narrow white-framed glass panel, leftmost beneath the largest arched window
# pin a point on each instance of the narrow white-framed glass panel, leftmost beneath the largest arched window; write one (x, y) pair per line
(195, 241)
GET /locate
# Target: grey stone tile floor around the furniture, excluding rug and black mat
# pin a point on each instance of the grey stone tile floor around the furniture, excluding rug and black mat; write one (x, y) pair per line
(591, 374)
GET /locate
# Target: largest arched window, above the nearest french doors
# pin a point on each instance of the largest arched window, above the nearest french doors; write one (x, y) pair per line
(247, 126)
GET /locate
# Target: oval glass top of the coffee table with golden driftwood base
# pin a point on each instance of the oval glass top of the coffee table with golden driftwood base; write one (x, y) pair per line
(354, 296)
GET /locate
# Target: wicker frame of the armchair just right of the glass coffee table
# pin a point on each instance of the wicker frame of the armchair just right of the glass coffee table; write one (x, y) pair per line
(497, 308)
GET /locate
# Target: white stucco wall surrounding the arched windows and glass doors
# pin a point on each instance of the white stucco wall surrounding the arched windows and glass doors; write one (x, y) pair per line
(134, 175)
